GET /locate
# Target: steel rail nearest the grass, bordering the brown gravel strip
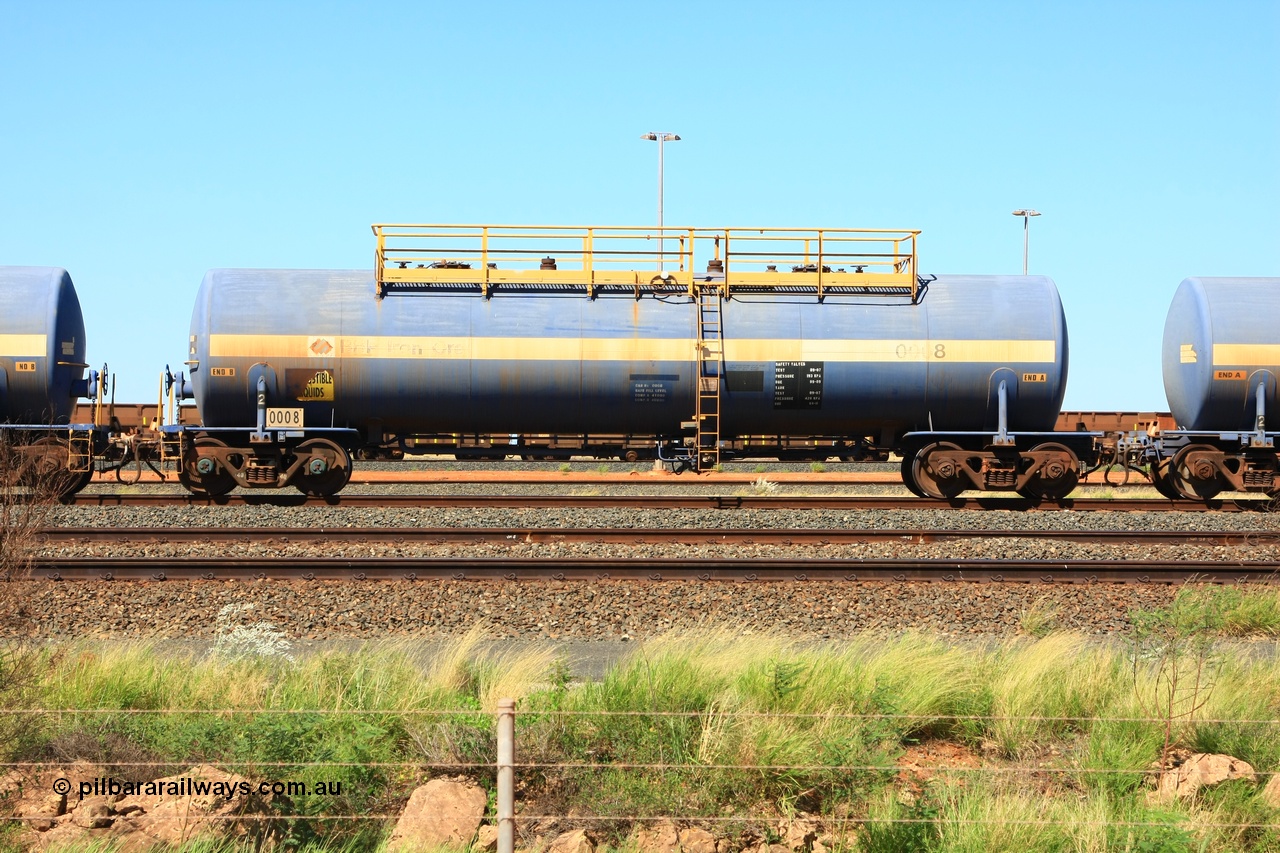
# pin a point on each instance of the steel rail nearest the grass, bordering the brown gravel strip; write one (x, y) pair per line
(700, 569)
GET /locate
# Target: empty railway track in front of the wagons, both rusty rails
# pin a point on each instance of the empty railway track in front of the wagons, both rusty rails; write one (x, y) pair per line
(642, 569)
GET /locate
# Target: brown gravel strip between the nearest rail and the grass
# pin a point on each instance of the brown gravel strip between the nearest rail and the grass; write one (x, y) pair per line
(560, 610)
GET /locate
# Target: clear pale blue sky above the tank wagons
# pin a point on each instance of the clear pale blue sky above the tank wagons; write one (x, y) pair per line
(144, 144)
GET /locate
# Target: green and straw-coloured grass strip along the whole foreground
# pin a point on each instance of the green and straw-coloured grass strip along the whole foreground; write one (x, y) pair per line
(712, 724)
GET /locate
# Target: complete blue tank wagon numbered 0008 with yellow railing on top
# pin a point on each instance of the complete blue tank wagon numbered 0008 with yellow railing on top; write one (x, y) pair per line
(787, 332)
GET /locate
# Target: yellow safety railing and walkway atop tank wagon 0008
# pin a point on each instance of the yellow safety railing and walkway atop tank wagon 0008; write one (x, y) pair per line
(822, 261)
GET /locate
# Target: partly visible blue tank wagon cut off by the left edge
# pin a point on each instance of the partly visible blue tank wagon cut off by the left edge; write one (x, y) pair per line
(43, 373)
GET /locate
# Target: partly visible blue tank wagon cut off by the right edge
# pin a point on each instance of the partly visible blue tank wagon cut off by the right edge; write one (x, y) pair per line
(1220, 358)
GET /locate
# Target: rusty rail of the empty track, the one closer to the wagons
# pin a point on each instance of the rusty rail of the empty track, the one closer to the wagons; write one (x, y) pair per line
(636, 536)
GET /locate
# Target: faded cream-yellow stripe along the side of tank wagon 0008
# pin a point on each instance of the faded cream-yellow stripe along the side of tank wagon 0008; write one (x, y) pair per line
(298, 346)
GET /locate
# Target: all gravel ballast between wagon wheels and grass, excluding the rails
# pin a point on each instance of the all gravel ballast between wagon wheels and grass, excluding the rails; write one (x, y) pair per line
(614, 610)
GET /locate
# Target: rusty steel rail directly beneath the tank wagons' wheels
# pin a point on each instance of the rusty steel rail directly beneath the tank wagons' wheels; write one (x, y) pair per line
(675, 503)
